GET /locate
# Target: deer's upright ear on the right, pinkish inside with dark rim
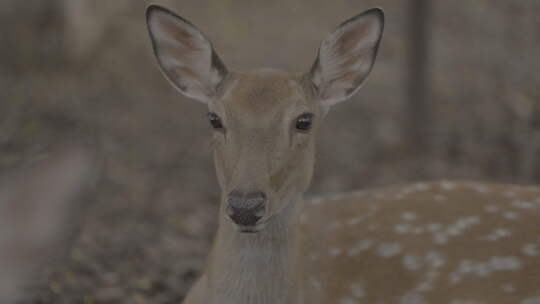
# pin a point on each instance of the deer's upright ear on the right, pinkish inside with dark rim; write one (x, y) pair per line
(346, 57)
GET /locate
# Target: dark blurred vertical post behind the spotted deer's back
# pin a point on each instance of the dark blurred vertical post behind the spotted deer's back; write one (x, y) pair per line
(417, 83)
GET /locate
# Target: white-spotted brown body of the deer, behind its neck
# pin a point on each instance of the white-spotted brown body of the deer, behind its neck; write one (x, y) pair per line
(440, 242)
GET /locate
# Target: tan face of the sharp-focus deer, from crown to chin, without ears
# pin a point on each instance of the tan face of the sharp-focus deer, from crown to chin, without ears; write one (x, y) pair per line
(264, 126)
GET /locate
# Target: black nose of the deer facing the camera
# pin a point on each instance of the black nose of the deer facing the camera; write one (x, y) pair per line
(246, 209)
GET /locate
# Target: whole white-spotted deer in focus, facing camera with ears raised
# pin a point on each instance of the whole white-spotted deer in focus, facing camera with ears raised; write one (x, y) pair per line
(451, 242)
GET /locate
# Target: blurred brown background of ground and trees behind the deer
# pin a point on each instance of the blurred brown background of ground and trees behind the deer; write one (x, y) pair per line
(454, 94)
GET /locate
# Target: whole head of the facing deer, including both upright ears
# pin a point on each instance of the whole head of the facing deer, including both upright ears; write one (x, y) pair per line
(264, 121)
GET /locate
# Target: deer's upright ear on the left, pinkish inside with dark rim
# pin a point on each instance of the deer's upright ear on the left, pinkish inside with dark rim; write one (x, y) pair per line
(184, 54)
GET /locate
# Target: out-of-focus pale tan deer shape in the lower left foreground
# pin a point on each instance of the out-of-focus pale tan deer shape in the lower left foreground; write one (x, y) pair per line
(40, 206)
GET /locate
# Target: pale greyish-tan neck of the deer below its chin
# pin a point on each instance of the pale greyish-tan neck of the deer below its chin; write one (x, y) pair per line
(257, 267)
